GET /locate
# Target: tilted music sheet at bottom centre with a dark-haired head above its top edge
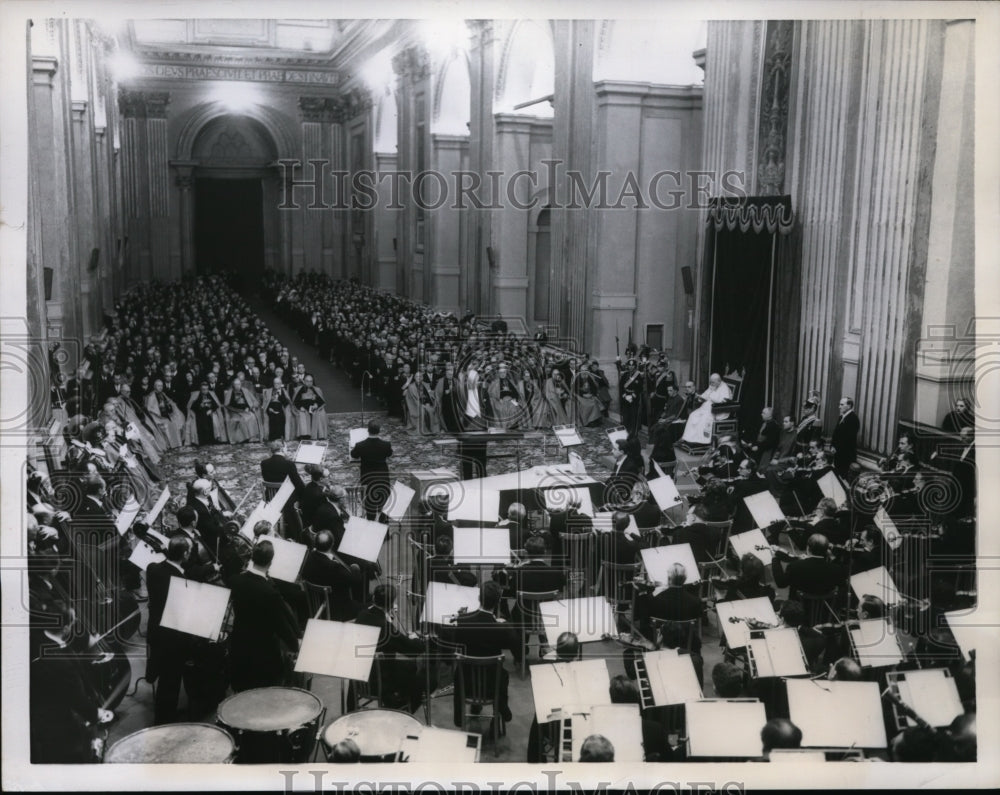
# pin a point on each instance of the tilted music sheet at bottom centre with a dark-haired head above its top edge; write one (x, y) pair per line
(560, 688)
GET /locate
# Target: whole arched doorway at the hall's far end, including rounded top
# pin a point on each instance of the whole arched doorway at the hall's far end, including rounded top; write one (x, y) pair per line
(235, 223)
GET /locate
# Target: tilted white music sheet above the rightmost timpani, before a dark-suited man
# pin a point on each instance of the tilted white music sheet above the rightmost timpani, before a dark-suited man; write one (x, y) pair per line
(335, 648)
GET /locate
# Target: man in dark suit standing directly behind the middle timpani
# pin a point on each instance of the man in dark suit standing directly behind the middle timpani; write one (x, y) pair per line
(262, 624)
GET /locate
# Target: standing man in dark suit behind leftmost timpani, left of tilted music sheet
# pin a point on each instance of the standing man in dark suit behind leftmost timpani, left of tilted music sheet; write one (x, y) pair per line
(169, 649)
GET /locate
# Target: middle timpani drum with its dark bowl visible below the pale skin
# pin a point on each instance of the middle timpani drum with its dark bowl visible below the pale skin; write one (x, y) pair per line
(272, 724)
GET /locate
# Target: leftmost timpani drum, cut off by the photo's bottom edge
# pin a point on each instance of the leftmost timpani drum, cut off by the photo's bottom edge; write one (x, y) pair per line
(177, 743)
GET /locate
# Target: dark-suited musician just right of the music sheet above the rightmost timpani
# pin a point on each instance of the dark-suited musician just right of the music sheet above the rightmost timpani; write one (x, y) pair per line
(403, 682)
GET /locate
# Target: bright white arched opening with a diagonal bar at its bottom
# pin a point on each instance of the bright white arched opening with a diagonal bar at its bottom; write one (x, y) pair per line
(527, 69)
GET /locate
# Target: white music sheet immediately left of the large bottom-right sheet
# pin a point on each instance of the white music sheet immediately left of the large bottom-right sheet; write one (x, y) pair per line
(722, 728)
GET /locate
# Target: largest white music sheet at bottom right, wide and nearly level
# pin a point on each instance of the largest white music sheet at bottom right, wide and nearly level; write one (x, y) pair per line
(837, 714)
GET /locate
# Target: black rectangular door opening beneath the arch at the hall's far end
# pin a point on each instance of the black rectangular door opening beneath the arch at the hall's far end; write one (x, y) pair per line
(229, 226)
